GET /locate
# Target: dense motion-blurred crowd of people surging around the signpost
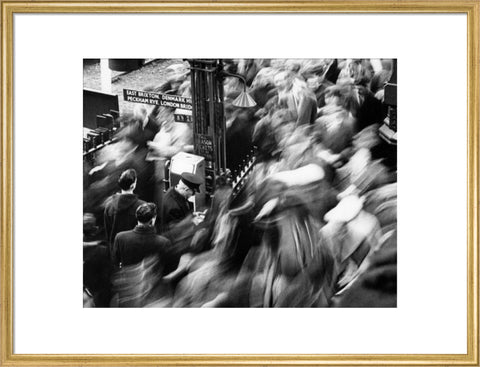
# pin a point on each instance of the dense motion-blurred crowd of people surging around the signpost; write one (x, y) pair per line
(314, 226)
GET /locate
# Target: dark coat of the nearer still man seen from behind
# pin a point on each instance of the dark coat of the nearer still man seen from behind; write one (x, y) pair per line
(131, 247)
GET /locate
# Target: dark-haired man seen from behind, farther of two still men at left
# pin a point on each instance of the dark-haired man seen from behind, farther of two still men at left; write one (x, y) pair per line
(120, 208)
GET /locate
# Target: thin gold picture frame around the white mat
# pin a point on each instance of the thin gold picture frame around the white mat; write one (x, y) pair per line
(9, 8)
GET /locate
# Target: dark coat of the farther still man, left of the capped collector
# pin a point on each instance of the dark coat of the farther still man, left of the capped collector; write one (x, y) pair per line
(119, 214)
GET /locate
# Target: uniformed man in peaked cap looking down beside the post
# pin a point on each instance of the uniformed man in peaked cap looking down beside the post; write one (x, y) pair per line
(175, 204)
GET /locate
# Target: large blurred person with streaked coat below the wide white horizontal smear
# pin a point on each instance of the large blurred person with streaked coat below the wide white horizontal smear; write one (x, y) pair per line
(293, 267)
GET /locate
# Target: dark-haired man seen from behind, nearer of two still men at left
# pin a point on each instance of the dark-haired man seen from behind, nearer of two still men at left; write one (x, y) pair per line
(131, 247)
